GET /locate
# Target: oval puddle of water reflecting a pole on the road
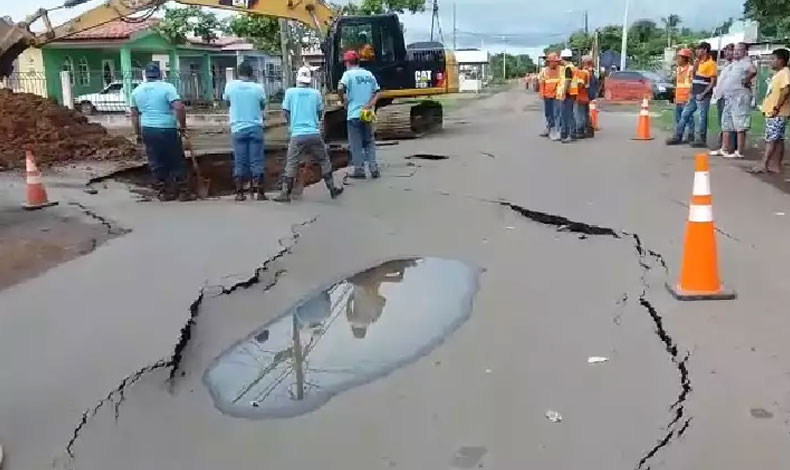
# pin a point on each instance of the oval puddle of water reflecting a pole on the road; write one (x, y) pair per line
(345, 335)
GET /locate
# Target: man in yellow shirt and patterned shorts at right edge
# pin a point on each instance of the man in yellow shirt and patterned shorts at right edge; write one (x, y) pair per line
(776, 108)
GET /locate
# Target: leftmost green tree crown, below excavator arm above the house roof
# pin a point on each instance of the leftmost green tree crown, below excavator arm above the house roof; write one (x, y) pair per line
(178, 23)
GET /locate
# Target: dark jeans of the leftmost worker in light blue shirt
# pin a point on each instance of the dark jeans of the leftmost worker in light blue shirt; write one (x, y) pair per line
(165, 154)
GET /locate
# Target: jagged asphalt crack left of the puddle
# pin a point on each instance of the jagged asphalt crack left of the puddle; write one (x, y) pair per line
(117, 394)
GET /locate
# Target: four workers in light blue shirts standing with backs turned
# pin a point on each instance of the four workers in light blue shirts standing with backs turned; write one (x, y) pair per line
(159, 121)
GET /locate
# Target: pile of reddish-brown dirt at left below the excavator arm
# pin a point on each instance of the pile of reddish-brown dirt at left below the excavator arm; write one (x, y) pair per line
(54, 133)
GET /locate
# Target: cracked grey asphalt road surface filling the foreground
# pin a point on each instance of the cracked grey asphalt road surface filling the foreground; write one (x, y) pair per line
(568, 243)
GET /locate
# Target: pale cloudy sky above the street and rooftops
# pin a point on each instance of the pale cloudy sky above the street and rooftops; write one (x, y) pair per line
(519, 26)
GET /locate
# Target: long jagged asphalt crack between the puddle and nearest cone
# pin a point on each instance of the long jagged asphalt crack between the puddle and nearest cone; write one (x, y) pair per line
(644, 257)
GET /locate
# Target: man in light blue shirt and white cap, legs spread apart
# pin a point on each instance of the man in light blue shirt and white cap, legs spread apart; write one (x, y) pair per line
(303, 106)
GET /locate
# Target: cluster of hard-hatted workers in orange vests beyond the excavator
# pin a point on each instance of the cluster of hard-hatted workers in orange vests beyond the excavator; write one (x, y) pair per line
(566, 91)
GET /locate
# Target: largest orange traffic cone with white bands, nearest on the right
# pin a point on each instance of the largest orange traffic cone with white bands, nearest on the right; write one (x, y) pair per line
(699, 274)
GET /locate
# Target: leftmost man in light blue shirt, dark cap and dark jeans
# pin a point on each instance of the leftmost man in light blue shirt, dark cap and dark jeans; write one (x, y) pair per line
(159, 121)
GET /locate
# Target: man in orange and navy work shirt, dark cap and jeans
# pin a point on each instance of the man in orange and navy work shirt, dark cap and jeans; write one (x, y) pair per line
(705, 72)
